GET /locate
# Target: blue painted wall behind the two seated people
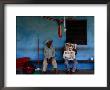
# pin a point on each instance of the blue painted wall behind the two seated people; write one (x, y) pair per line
(28, 29)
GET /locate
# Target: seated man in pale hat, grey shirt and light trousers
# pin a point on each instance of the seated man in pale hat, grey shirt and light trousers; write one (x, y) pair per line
(49, 56)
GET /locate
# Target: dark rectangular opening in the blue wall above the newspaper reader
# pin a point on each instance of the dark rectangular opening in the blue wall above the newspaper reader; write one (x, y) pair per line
(76, 31)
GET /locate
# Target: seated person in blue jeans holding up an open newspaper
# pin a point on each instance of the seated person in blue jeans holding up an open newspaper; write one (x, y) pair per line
(69, 57)
